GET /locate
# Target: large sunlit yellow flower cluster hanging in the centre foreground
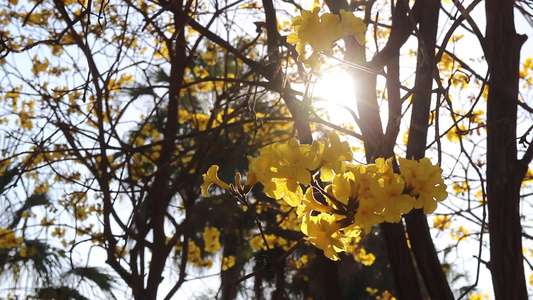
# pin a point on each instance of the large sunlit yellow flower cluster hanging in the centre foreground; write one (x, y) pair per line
(356, 198)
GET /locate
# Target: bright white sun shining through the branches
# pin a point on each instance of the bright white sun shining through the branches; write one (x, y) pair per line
(334, 96)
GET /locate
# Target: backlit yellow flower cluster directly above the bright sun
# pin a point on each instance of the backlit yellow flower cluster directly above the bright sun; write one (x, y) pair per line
(321, 32)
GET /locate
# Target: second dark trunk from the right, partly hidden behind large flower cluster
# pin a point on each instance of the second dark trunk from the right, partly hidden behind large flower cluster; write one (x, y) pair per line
(422, 245)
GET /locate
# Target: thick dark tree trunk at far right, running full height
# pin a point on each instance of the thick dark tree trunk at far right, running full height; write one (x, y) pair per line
(502, 50)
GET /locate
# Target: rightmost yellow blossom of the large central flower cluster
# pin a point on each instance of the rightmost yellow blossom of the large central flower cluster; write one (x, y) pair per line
(426, 183)
